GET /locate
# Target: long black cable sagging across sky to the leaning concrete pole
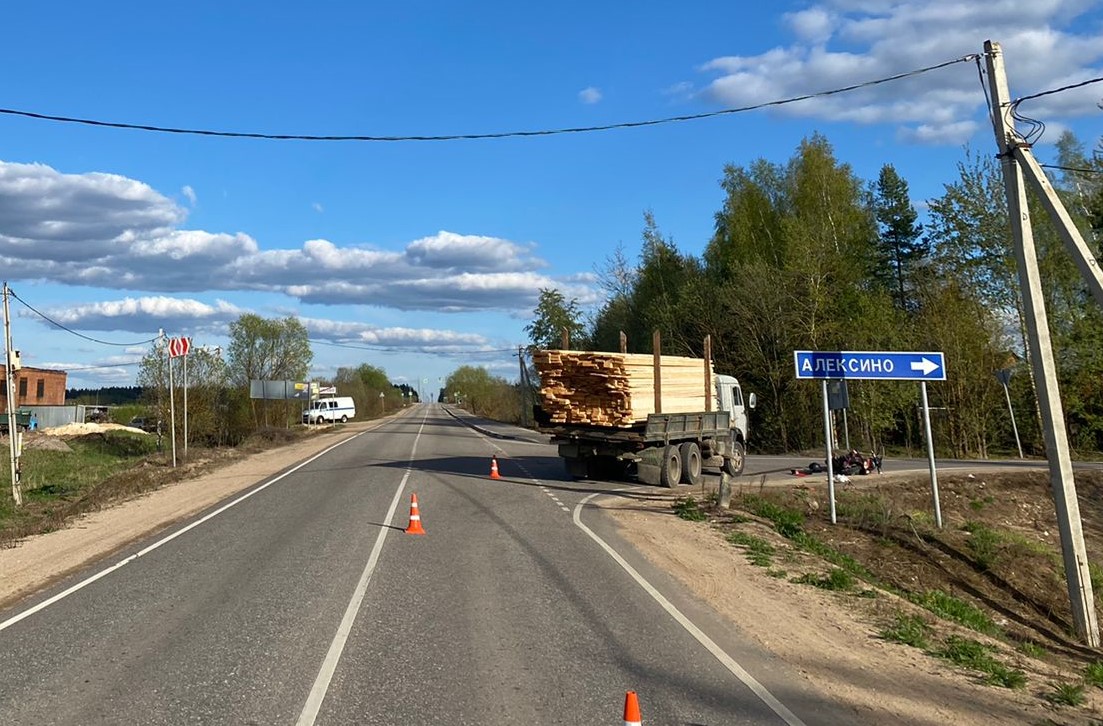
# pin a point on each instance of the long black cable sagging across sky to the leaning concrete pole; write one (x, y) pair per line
(459, 137)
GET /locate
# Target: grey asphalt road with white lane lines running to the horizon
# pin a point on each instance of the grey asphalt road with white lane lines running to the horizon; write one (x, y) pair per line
(307, 603)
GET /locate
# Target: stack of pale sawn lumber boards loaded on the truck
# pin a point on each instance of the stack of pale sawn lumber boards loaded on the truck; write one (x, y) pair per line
(617, 389)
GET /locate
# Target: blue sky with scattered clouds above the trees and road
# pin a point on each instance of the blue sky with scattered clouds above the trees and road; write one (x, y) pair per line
(419, 258)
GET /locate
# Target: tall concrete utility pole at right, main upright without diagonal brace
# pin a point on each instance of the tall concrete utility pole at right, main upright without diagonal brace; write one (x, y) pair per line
(1013, 153)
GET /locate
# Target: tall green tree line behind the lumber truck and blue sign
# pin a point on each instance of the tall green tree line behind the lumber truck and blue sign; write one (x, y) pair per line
(806, 255)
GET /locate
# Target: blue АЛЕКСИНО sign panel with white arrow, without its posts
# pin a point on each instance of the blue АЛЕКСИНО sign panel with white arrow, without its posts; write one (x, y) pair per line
(885, 366)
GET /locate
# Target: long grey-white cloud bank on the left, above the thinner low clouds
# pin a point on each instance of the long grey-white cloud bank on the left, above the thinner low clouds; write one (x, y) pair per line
(116, 233)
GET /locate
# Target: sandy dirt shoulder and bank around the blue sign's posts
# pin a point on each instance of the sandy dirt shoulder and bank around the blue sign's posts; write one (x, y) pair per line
(837, 638)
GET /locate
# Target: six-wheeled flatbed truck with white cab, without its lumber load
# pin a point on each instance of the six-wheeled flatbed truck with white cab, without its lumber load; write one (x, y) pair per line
(665, 449)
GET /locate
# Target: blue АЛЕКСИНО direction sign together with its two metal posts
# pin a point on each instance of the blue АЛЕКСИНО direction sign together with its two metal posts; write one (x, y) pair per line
(875, 366)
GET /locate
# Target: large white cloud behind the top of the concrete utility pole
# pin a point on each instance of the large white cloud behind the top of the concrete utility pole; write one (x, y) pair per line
(839, 44)
